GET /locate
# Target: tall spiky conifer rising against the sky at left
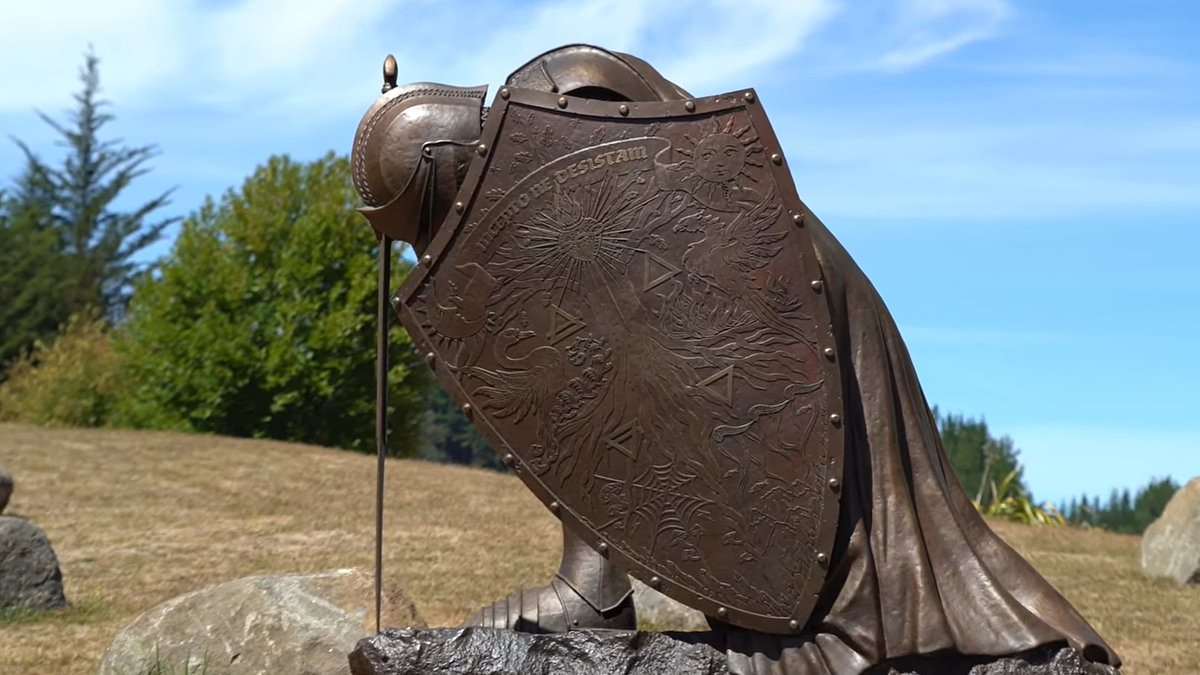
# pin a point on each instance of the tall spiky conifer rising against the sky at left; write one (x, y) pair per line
(77, 201)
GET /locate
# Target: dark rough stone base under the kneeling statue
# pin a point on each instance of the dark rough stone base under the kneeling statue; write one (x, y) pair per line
(418, 652)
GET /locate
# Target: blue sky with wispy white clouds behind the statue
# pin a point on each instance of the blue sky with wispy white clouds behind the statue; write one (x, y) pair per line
(1021, 180)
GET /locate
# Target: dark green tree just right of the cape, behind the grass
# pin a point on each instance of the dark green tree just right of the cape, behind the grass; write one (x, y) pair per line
(979, 458)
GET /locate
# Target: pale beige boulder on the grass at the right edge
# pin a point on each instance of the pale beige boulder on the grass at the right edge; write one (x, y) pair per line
(1171, 547)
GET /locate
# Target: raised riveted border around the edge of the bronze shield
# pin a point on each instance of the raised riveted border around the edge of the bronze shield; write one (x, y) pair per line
(467, 196)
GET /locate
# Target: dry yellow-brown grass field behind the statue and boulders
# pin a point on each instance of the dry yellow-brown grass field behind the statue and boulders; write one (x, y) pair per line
(139, 518)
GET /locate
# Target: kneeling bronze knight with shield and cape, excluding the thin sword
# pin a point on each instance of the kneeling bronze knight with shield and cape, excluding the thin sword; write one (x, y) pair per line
(620, 285)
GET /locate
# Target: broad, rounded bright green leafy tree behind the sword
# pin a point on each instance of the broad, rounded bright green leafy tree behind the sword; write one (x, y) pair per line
(261, 322)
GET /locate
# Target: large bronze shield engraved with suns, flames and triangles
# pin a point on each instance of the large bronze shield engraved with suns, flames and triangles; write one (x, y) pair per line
(628, 304)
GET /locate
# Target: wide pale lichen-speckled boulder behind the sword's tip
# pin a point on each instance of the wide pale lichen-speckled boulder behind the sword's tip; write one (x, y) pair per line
(302, 625)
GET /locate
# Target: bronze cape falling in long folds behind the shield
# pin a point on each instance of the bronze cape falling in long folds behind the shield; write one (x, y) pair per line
(916, 570)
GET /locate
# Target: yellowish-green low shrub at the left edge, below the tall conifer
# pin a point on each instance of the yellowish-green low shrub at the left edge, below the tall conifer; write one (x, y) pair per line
(73, 381)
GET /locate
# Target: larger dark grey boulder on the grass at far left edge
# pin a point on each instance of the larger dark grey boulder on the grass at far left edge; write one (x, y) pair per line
(29, 571)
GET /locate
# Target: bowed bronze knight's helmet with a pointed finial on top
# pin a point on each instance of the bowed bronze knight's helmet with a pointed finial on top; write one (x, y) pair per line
(411, 154)
